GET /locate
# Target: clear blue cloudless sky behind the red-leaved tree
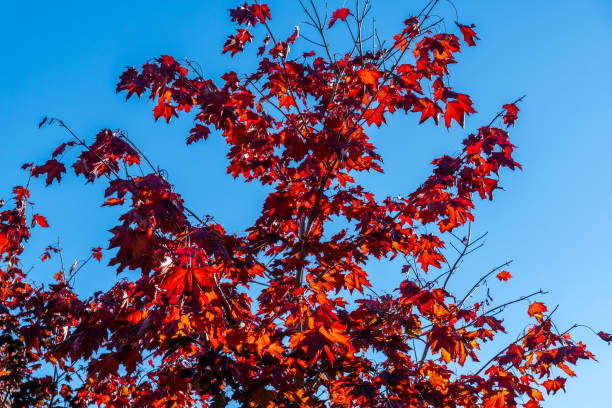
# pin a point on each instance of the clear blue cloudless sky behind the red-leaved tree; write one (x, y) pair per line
(553, 219)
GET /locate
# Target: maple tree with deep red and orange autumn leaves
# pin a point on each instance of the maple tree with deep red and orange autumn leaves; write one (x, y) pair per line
(192, 330)
